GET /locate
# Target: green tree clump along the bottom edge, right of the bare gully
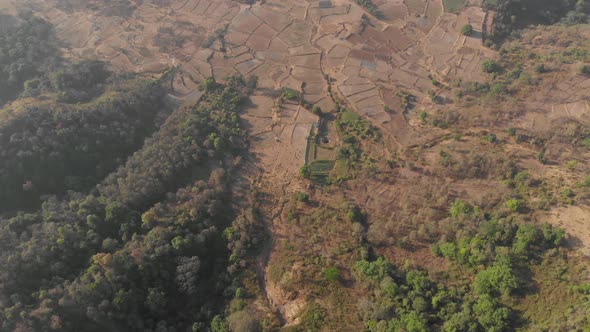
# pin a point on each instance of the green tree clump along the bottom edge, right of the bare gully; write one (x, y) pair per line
(410, 301)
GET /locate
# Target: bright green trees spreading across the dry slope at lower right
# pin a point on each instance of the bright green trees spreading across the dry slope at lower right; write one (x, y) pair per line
(498, 252)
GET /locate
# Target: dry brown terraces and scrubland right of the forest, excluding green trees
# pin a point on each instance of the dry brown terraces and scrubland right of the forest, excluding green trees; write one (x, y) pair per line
(416, 117)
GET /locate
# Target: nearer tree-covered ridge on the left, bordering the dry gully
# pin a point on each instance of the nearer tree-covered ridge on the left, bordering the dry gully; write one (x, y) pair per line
(129, 255)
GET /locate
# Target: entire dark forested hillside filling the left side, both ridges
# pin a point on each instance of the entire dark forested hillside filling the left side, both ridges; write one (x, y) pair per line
(112, 221)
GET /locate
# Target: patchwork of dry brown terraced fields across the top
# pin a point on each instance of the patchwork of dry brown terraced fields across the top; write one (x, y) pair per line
(297, 45)
